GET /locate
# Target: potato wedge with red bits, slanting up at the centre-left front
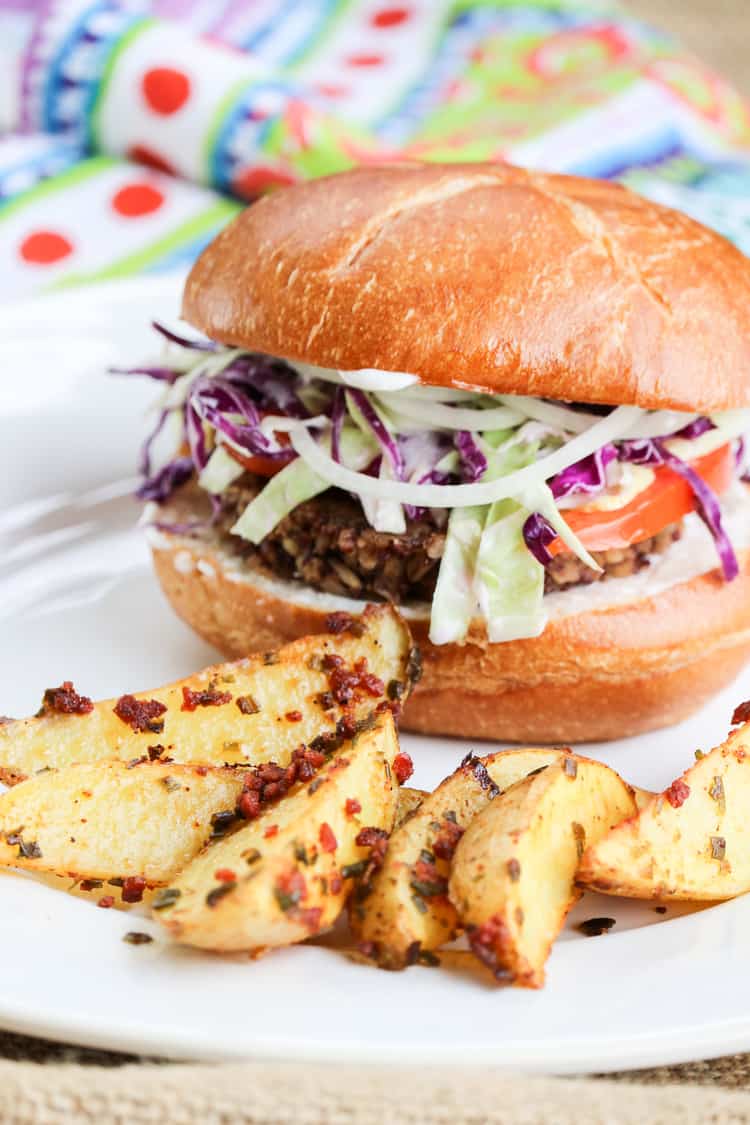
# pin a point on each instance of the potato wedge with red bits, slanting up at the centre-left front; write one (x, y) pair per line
(286, 877)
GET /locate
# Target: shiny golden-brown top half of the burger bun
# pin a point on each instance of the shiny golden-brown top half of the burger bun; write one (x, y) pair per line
(486, 277)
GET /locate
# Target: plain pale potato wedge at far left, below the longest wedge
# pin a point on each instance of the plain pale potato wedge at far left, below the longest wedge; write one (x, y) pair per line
(104, 821)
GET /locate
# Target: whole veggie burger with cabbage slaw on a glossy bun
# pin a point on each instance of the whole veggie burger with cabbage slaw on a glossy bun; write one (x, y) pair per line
(510, 403)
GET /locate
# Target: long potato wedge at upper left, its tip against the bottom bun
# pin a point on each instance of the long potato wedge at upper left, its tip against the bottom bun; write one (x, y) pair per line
(252, 710)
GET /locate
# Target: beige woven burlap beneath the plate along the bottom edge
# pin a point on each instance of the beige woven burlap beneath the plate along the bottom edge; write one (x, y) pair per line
(53, 1084)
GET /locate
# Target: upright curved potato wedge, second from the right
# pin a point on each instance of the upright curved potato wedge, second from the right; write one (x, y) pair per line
(514, 869)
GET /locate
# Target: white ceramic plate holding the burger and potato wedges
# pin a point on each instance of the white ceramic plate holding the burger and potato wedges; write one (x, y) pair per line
(78, 601)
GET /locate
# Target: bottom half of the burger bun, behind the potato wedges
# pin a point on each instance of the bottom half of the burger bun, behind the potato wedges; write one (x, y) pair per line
(604, 674)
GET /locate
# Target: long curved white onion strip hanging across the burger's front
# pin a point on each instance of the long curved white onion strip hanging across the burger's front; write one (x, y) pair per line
(612, 428)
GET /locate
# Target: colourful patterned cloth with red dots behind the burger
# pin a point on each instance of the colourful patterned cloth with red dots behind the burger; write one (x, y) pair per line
(138, 125)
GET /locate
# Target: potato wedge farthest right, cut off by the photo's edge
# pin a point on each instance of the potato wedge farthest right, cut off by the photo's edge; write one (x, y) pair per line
(692, 842)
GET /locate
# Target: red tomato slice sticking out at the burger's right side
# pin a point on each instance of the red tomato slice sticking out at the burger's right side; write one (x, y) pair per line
(667, 500)
